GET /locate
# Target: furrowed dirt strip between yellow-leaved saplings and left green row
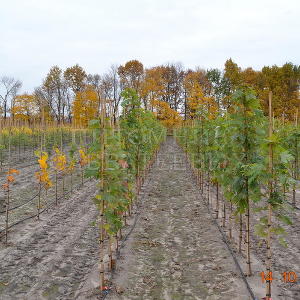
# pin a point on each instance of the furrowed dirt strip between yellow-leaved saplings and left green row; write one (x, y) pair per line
(52, 256)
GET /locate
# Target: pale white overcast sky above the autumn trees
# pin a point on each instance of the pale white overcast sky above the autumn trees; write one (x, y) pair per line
(38, 34)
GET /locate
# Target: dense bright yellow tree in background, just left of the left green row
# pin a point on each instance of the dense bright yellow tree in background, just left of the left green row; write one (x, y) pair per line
(85, 106)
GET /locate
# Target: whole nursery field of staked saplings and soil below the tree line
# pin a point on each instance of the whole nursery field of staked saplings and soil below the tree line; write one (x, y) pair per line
(208, 209)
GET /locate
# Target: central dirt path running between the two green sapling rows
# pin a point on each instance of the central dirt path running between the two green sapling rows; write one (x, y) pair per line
(175, 250)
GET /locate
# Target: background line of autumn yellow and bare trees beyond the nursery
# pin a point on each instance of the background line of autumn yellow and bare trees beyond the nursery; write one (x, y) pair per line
(170, 90)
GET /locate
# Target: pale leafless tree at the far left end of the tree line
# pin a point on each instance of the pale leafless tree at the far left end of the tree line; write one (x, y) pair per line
(9, 87)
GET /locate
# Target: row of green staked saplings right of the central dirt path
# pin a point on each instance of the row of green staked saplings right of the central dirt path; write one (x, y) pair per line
(251, 161)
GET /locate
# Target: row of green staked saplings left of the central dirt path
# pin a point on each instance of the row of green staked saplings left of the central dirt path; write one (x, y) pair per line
(120, 158)
